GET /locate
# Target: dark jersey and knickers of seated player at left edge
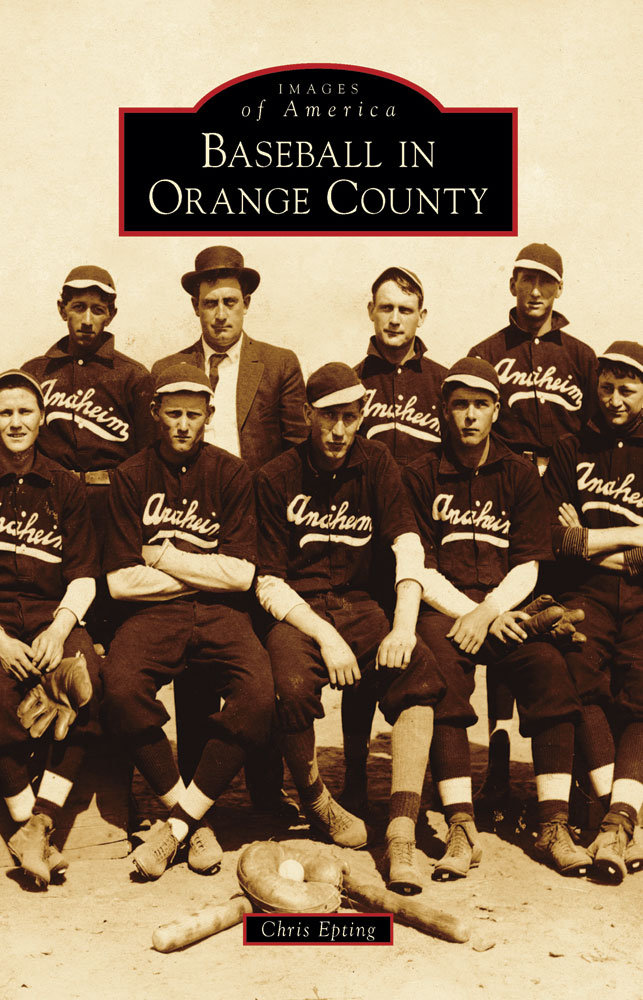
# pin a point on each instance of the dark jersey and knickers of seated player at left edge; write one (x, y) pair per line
(46, 542)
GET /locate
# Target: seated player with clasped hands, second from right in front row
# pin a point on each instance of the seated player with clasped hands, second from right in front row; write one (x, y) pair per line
(483, 520)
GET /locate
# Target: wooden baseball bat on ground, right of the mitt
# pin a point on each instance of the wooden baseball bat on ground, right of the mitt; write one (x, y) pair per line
(371, 894)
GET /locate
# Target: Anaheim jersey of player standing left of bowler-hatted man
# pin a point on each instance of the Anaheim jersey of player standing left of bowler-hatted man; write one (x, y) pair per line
(97, 407)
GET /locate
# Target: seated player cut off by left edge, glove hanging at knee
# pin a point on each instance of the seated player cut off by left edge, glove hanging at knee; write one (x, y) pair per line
(48, 565)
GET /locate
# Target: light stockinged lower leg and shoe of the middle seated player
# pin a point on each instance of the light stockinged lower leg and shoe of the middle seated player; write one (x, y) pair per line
(410, 741)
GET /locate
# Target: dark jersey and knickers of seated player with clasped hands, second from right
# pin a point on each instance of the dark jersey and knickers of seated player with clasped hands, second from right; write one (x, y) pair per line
(476, 525)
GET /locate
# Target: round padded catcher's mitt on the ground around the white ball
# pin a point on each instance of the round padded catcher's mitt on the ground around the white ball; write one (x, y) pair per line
(270, 892)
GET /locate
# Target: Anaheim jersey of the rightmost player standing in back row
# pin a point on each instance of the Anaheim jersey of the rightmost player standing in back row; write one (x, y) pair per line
(547, 384)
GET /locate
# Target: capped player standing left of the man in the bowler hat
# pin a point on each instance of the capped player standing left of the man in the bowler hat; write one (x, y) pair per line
(97, 402)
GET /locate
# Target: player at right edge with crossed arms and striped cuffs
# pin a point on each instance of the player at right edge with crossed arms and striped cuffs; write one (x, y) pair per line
(595, 486)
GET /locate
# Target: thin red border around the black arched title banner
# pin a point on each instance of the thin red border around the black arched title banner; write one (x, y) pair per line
(324, 232)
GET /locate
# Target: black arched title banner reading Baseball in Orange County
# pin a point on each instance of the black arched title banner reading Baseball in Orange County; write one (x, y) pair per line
(318, 150)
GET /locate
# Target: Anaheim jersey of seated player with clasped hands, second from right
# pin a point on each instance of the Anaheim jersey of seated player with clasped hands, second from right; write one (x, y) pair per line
(477, 524)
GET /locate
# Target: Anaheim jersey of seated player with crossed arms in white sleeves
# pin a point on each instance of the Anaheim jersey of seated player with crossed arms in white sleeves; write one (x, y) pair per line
(203, 505)
